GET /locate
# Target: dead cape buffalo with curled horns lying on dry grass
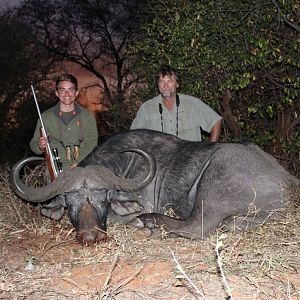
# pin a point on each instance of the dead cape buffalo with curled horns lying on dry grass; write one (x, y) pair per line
(140, 176)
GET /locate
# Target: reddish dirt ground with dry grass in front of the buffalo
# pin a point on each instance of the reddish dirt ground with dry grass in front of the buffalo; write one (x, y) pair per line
(41, 259)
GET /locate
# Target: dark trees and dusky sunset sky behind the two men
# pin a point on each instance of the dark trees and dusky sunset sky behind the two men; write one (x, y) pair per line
(240, 58)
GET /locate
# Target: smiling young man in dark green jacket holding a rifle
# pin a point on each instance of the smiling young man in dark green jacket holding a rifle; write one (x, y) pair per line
(71, 129)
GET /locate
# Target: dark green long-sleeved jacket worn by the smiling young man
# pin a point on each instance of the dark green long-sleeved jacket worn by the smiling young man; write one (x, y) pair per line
(80, 131)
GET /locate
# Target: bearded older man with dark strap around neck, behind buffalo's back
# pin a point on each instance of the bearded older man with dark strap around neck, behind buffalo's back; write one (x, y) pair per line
(178, 114)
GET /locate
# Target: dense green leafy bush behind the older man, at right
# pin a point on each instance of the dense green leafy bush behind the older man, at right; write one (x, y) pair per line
(248, 50)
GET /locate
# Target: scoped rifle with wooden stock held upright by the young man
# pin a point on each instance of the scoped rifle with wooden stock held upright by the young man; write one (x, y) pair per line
(53, 163)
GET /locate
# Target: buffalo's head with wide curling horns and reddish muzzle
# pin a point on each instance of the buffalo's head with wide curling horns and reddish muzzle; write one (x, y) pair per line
(87, 192)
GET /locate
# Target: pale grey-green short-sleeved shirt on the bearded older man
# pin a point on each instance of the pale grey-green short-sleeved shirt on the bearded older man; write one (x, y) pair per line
(193, 115)
